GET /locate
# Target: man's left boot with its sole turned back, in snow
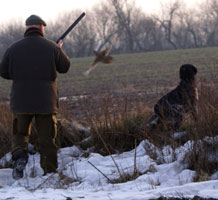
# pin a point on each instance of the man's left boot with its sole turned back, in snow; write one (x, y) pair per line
(20, 160)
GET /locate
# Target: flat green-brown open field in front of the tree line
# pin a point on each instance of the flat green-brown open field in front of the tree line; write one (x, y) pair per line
(147, 73)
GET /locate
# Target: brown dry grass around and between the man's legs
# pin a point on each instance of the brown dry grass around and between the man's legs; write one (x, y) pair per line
(64, 125)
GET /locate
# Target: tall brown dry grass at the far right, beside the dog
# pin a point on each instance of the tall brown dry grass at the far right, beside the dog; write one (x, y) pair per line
(207, 125)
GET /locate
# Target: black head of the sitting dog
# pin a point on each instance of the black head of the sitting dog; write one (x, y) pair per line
(188, 72)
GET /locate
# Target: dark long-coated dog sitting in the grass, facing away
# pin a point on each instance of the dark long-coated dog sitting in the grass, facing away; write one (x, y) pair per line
(181, 100)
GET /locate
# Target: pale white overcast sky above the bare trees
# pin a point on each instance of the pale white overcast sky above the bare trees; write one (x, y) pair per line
(48, 9)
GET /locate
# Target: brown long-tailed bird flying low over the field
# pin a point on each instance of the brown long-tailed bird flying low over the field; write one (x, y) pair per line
(101, 56)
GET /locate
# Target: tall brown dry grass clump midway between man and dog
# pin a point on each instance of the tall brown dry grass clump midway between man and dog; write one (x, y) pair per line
(115, 122)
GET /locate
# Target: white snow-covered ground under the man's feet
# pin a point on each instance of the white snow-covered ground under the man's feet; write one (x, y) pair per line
(88, 178)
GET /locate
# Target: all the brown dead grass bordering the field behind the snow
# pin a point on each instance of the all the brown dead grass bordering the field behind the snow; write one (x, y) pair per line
(118, 125)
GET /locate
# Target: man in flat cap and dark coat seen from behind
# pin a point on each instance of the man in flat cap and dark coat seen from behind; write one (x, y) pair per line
(32, 64)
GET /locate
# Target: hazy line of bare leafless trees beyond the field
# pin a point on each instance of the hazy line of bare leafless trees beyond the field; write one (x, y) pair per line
(128, 28)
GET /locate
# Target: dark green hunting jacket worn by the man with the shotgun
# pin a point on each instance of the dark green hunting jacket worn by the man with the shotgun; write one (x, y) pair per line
(32, 63)
